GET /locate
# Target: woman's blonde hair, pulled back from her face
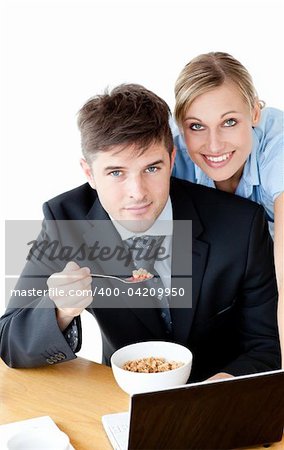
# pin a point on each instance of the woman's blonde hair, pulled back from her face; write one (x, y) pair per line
(208, 71)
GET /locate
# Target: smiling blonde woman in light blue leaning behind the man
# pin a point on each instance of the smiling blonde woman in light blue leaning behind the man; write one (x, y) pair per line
(228, 140)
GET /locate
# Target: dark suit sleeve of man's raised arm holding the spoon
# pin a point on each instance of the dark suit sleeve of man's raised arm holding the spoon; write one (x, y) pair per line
(29, 332)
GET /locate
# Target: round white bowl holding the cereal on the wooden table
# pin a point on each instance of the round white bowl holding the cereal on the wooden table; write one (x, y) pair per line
(135, 382)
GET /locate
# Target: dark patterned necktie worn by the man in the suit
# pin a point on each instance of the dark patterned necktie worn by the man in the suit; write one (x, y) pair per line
(144, 251)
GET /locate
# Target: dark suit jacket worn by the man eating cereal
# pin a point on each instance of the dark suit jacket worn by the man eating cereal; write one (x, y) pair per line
(231, 325)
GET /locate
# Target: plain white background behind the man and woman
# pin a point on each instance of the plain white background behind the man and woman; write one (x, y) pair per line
(58, 53)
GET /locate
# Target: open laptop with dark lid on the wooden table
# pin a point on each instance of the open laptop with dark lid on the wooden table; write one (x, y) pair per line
(222, 414)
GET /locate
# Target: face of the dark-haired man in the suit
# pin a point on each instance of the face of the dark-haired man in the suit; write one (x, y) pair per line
(132, 188)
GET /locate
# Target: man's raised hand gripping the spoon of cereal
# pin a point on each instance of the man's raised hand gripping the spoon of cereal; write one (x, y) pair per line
(71, 280)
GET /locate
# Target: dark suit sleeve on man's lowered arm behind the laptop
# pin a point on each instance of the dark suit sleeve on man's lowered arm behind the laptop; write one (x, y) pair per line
(257, 323)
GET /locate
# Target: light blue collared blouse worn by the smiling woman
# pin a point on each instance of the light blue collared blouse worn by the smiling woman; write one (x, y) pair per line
(263, 176)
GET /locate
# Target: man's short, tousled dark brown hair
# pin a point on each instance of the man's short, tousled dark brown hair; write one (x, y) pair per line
(129, 115)
